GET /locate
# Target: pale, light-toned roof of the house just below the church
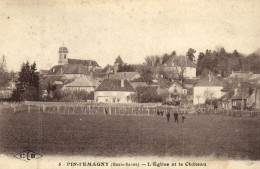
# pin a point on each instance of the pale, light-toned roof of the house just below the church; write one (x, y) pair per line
(83, 81)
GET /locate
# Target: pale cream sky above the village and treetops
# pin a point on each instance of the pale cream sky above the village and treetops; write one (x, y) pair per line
(102, 30)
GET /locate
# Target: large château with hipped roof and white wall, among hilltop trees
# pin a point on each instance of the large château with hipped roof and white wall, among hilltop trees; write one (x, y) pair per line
(180, 65)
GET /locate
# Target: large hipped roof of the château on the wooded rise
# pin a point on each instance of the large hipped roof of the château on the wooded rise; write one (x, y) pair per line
(182, 61)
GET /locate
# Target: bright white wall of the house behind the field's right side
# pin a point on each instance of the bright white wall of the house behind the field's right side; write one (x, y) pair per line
(199, 91)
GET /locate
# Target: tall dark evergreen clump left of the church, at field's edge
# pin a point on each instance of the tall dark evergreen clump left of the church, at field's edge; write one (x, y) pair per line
(27, 85)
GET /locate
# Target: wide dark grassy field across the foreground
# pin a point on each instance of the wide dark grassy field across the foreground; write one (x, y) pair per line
(110, 135)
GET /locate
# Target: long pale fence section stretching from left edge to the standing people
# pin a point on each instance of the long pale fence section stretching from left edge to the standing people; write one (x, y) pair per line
(86, 108)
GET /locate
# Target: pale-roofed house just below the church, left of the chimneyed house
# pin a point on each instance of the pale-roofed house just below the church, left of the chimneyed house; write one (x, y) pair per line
(83, 83)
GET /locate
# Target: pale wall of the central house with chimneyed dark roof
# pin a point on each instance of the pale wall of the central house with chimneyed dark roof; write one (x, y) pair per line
(102, 96)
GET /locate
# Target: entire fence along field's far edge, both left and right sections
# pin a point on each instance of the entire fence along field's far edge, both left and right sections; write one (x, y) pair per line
(112, 109)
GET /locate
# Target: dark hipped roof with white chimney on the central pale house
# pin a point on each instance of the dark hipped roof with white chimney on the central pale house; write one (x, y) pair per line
(115, 85)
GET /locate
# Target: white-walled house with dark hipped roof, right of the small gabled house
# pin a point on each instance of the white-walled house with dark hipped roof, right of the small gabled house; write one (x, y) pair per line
(208, 88)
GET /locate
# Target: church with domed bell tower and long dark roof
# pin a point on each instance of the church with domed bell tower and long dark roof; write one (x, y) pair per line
(71, 68)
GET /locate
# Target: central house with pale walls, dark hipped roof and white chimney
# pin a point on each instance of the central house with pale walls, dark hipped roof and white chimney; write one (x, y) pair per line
(114, 91)
